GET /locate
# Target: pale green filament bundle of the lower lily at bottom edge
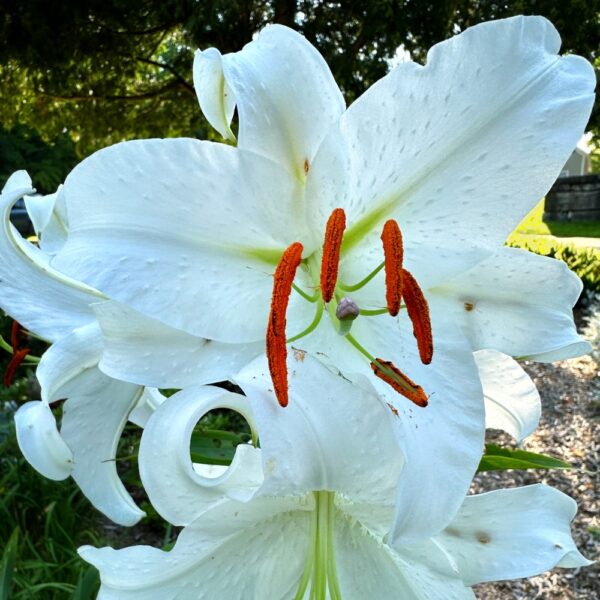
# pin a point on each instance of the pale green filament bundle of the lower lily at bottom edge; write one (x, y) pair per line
(320, 569)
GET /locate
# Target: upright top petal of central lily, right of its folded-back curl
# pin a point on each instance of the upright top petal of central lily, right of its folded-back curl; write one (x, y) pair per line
(286, 97)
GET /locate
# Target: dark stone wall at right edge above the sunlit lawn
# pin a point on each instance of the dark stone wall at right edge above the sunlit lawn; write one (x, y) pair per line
(574, 199)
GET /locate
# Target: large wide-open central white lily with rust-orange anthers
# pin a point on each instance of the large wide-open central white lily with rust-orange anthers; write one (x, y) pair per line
(188, 233)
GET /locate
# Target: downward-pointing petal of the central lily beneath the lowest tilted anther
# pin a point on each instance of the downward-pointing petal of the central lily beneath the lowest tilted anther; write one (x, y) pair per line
(443, 442)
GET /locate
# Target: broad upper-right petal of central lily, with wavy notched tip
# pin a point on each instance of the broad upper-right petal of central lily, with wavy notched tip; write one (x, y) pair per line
(458, 150)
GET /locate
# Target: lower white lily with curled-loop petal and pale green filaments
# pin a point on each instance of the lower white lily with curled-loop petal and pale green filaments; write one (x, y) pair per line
(309, 514)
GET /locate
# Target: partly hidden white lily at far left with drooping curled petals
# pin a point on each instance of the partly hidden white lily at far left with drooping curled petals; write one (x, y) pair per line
(59, 309)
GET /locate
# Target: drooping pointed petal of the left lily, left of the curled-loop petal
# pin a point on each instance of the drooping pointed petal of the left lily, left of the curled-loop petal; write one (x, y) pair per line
(94, 416)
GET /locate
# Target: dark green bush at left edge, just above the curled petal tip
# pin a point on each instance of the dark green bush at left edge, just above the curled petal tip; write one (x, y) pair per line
(48, 163)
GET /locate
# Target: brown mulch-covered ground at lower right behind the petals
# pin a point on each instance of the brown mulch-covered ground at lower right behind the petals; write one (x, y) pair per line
(569, 429)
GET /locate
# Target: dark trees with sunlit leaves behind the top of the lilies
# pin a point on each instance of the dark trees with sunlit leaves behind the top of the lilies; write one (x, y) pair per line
(108, 70)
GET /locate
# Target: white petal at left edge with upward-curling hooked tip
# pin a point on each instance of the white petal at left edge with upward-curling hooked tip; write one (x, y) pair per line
(40, 298)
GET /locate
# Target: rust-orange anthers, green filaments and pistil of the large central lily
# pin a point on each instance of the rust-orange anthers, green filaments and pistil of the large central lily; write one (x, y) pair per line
(400, 285)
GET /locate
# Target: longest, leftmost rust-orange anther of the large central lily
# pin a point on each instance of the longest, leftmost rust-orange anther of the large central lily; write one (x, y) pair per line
(276, 348)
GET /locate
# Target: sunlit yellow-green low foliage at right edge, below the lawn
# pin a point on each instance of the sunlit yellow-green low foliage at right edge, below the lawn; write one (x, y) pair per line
(584, 262)
